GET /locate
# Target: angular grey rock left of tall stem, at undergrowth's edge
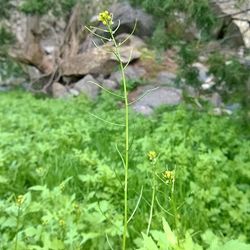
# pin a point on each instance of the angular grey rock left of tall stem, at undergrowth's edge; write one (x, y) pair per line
(89, 89)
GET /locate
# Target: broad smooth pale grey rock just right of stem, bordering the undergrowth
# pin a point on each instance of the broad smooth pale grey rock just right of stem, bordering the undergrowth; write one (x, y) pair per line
(156, 98)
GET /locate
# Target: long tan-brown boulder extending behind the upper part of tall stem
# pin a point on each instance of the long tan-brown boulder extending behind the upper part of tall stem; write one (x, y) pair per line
(95, 61)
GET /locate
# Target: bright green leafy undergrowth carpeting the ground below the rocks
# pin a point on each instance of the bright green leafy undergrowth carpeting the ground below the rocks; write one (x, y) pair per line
(61, 179)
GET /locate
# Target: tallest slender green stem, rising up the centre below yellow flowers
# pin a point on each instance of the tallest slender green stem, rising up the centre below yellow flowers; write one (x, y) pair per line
(125, 93)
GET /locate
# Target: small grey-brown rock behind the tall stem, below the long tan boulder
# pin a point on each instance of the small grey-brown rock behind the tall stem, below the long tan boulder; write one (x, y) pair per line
(131, 72)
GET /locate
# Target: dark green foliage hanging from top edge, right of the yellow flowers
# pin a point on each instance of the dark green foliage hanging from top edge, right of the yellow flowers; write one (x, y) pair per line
(165, 13)
